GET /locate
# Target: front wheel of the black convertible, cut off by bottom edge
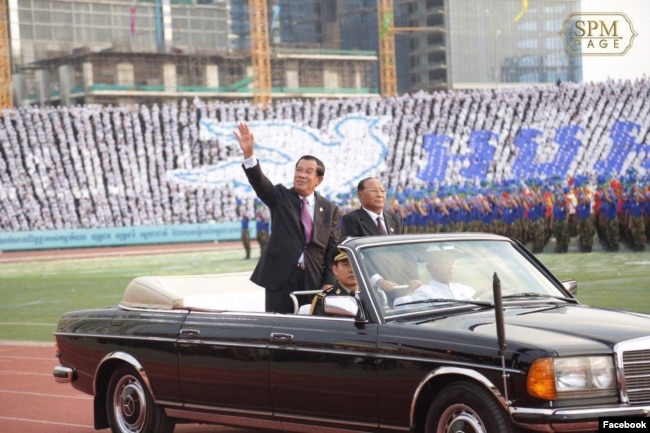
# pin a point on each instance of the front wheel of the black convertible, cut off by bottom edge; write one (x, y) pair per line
(466, 407)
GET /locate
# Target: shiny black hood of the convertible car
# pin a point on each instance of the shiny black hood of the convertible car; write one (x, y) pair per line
(559, 329)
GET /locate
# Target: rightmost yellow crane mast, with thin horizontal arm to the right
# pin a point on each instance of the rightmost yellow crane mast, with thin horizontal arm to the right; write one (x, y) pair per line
(387, 32)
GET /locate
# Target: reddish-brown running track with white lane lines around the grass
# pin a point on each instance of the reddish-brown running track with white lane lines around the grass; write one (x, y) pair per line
(30, 399)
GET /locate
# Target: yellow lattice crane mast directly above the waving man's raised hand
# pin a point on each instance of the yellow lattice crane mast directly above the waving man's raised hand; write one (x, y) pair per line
(260, 51)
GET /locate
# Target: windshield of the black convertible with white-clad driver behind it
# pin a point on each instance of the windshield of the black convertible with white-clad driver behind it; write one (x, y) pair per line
(429, 275)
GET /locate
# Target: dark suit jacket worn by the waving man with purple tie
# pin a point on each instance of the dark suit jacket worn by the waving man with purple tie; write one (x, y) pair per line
(287, 240)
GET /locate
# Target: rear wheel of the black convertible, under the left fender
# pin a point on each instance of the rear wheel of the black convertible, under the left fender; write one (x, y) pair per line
(131, 408)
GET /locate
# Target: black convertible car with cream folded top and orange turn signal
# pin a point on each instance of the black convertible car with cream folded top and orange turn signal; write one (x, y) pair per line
(476, 335)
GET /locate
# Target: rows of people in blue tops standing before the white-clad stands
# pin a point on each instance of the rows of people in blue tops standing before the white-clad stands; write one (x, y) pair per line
(535, 212)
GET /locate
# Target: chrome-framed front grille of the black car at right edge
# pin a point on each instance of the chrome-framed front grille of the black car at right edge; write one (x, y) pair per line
(634, 361)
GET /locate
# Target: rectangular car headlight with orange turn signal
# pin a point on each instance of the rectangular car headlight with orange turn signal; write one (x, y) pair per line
(575, 377)
